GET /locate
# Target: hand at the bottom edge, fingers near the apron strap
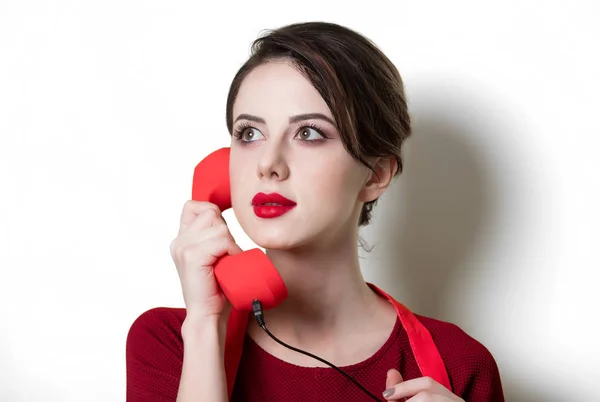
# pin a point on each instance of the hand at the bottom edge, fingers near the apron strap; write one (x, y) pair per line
(423, 389)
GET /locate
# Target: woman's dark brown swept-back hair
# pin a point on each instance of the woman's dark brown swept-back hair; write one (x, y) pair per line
(361, 86)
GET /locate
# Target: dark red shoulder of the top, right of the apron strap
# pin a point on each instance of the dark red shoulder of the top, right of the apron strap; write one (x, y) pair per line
(472, 368)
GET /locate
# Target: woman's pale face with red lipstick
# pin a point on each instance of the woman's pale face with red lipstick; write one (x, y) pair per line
(285, 141)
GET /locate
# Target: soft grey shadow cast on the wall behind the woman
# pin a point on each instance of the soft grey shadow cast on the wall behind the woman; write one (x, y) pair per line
(432, 219)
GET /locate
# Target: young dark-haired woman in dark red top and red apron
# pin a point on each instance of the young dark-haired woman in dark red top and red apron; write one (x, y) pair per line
(317, 115)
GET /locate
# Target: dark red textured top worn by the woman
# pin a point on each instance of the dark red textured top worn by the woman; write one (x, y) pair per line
(154, 357)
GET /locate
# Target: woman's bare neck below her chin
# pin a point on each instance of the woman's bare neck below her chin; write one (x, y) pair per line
(328, 297)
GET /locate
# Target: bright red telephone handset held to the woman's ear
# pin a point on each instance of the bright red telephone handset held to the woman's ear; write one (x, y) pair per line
(246, 276)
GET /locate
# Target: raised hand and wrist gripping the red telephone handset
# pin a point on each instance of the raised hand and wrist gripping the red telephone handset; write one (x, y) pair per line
(203, 237)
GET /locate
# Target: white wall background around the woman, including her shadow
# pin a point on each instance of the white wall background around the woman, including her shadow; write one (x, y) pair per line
(106, 107)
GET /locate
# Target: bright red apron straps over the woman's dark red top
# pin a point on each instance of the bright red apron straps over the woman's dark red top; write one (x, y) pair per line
(426, 353)
